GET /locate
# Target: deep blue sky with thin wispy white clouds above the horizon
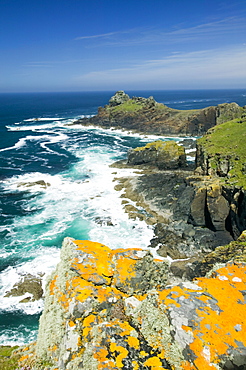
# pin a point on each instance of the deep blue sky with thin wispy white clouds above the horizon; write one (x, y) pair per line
(82, 45)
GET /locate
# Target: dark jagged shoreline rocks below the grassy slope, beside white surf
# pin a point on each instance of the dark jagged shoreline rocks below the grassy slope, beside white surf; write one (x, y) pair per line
(191, 214)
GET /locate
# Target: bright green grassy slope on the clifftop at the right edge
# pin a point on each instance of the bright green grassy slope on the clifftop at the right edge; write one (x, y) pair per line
(229, 140)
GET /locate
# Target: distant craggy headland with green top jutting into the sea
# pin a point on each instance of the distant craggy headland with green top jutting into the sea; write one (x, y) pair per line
(147, 116)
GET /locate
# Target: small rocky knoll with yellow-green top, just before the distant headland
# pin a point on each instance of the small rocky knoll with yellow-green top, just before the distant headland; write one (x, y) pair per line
(163, 154)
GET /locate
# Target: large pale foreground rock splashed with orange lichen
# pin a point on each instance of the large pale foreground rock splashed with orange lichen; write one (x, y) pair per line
(109, 309)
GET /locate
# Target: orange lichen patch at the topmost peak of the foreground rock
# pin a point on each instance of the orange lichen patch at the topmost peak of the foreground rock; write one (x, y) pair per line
(96, 262)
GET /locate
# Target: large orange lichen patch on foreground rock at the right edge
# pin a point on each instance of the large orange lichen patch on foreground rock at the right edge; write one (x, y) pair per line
(219, 330)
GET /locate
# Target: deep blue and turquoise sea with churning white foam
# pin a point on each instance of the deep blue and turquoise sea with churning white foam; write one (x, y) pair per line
(55, 181)
